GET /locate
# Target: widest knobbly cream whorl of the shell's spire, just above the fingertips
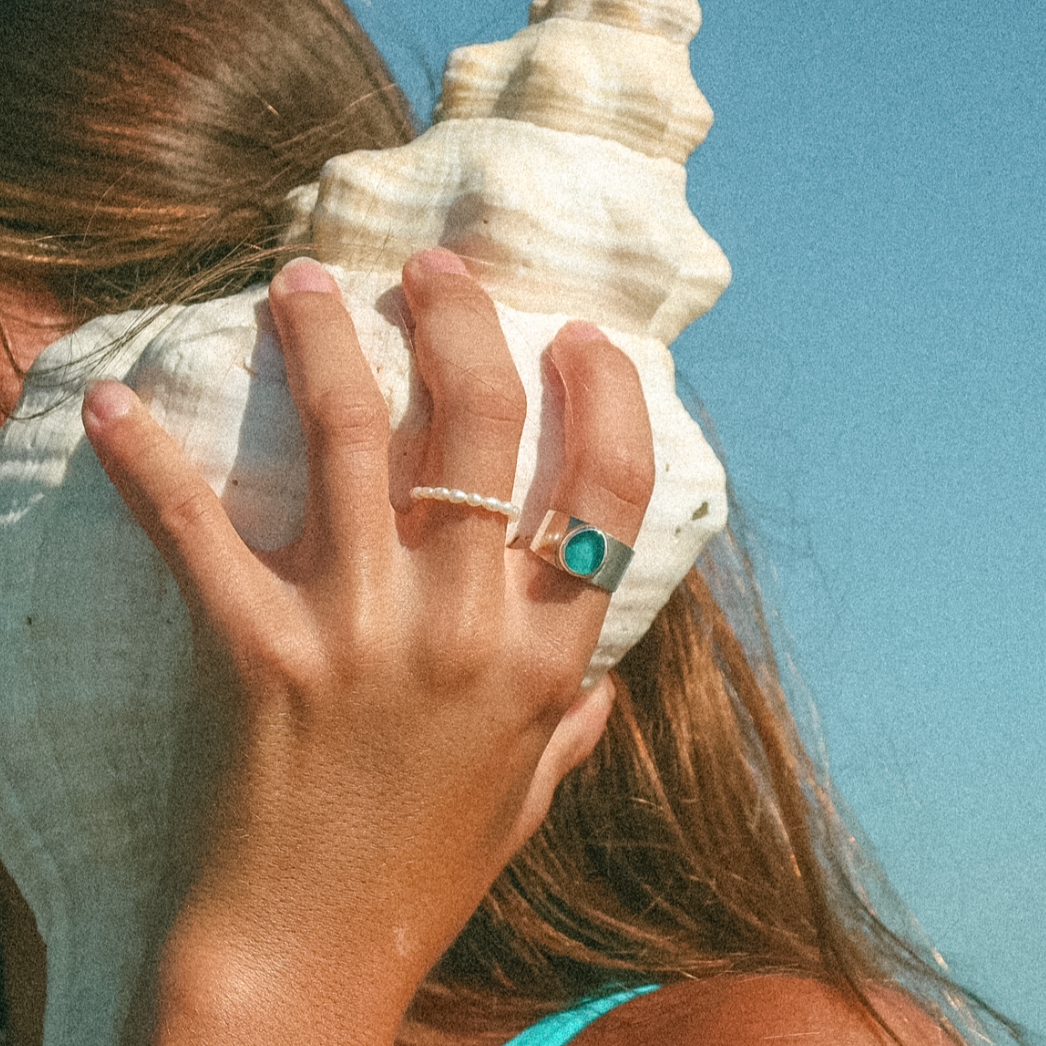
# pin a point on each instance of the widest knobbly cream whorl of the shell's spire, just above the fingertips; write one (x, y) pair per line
(531, 254)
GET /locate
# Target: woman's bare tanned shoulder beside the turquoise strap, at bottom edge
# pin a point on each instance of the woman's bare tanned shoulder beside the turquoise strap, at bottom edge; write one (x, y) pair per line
(758, 1010)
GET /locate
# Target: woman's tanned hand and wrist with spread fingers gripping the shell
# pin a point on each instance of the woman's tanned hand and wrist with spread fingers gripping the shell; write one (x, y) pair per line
(402, 692)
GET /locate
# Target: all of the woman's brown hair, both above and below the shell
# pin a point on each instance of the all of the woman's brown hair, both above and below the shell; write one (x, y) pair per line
(144, 160)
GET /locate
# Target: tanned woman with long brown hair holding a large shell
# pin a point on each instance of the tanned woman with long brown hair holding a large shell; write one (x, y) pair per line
(736, 885)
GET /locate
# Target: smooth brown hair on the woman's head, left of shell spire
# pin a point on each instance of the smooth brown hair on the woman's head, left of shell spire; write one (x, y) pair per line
(148, 145)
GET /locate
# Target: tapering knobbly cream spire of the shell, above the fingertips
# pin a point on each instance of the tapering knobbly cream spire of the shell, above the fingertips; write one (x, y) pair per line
(555, 167)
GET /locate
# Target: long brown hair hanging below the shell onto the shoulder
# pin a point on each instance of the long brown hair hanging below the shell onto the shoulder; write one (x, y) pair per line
(699, 839)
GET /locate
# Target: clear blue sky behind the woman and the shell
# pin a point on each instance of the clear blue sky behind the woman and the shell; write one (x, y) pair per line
(877, 176)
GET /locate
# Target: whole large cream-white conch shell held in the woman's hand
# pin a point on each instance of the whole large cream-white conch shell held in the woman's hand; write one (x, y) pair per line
(556, 171)
